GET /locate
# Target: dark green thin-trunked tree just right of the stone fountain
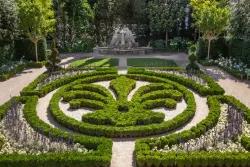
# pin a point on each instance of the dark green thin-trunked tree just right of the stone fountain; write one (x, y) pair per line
(166, 14)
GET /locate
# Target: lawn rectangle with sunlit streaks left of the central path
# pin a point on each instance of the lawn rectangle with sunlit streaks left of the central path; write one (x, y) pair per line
(95, 62)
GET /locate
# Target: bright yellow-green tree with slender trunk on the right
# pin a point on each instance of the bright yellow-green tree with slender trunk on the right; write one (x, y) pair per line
(212, 19)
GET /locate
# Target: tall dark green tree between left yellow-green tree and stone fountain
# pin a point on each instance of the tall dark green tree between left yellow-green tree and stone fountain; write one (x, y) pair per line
(73, 22)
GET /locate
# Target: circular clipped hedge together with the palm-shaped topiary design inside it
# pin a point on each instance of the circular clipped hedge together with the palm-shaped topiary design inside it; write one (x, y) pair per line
(122, 118)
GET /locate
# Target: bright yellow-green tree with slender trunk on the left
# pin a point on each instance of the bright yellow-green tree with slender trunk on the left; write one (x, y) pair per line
(36, 19)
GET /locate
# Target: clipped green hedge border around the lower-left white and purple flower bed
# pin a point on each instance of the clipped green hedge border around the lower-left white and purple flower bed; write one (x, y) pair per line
(100, 156)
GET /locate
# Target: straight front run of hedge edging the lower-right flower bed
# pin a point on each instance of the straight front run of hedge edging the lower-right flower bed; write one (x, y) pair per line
(197, 159)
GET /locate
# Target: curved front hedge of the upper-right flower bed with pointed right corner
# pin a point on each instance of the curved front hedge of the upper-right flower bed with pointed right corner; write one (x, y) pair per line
(213, 87)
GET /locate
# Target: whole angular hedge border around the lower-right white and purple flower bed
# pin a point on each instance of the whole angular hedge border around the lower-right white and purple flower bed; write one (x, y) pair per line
(146, 157)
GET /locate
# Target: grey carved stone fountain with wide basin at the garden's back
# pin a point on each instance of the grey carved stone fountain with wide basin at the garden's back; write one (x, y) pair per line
(123, 42)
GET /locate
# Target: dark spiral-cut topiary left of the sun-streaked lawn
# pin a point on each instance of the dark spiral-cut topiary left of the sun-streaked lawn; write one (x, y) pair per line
(53, 60)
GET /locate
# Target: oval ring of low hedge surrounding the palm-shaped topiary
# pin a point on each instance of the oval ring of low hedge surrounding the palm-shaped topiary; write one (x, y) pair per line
(127, 131)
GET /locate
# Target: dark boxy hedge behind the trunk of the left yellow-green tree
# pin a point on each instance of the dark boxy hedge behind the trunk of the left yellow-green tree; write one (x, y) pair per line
(25, 48)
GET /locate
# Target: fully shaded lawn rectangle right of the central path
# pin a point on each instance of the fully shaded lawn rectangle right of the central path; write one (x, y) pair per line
(150, 62)
